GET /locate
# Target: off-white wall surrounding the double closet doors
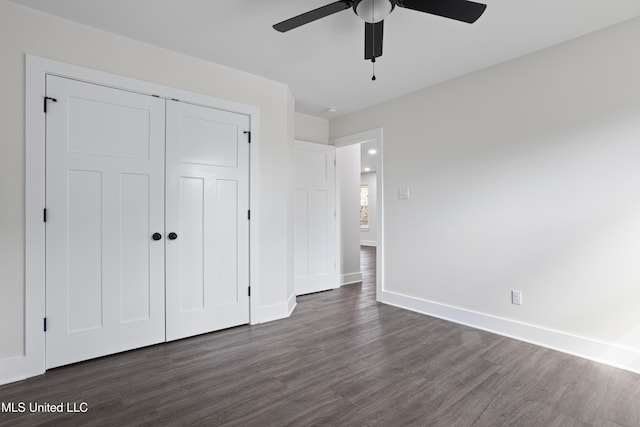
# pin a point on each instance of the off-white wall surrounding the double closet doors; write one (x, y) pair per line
(25, 31)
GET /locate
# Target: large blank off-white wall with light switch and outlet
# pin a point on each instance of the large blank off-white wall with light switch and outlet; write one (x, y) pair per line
(522, 176)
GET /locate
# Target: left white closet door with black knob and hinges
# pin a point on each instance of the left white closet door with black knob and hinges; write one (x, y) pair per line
(105, 200)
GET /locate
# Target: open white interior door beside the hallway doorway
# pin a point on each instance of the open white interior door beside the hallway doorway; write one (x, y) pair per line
(314, 218)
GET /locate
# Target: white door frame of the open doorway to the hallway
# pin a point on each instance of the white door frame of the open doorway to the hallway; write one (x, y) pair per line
(358, 138)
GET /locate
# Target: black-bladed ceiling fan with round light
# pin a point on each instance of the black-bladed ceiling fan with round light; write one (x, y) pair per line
(373, 13)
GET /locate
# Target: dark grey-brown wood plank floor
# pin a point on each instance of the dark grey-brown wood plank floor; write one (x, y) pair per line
(343, 360)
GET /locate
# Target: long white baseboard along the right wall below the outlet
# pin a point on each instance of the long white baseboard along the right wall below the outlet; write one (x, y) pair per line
(609, 354)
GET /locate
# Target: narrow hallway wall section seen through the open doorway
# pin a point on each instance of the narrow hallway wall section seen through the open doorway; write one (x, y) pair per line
(348, 211)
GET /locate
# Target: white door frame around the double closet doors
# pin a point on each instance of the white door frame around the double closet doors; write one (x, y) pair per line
(37, 68)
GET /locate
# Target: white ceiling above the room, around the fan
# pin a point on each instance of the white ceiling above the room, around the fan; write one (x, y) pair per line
(322, 62)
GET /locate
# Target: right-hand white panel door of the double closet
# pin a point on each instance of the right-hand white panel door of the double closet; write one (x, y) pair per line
(207, 202)
